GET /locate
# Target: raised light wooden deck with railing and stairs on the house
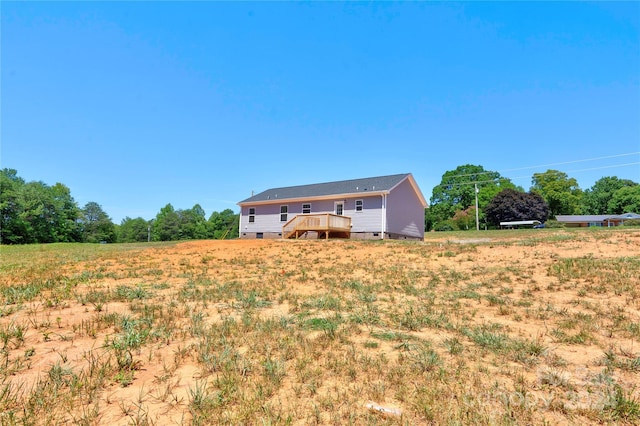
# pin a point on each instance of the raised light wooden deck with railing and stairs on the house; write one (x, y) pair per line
(326, 225)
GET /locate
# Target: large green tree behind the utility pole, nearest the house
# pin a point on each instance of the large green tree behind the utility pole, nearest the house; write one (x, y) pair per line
(456, 191)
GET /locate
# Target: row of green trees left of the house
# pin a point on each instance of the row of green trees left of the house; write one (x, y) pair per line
(34, 212)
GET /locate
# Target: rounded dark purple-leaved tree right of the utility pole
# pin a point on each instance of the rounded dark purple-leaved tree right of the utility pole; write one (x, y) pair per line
(511, 205)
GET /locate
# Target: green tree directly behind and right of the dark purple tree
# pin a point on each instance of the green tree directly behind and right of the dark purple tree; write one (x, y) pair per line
(562, 194)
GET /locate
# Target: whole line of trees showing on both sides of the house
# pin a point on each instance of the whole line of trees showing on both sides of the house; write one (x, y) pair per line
(34, 212)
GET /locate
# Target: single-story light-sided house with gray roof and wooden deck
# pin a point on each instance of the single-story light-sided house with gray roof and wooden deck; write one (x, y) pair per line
(369, 208)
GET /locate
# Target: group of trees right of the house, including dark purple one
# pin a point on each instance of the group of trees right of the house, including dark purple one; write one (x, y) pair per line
(453, 202)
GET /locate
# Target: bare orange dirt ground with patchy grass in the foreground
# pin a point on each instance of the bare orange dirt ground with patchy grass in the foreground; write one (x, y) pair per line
(515, 328)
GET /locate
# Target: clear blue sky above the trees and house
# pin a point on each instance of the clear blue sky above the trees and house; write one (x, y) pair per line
(134, 105)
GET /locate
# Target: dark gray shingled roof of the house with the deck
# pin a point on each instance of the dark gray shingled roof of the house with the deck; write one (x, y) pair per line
(377, 184)
